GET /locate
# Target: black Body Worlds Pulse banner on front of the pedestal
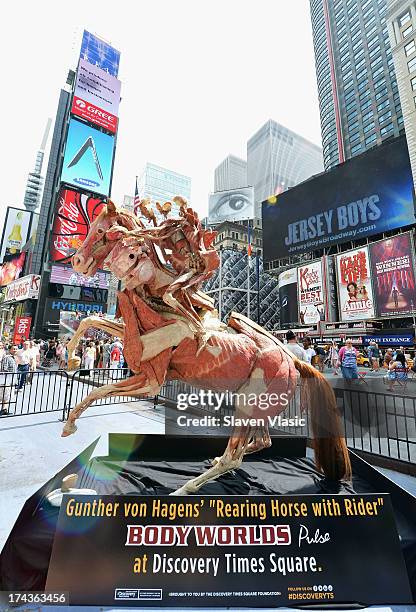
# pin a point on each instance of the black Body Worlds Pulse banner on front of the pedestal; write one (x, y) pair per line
(228, 551)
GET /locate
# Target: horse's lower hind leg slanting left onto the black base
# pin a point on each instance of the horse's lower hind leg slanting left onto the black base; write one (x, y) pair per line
(230, 460)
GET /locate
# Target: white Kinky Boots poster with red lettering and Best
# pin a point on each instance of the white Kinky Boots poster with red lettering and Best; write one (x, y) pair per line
(311, 293)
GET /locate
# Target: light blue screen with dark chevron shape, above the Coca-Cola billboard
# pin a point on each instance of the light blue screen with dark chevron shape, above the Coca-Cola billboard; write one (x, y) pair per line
(88, 158)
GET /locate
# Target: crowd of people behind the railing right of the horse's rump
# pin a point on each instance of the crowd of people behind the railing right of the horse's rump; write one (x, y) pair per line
(344, 358)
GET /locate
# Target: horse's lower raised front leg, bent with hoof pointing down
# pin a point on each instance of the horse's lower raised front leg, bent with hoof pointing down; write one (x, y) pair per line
(134, 386)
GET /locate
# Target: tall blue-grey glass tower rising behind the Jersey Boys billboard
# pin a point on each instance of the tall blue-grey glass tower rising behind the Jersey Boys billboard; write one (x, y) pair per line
(357, 87)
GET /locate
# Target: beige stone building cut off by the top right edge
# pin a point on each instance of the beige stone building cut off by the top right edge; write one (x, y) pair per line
(401, 18)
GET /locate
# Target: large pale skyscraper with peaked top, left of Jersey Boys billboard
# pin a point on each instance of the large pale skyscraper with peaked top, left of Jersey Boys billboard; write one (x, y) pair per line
(278, 159)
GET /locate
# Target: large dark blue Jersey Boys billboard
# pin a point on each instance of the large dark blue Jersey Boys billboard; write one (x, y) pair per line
(365, 196)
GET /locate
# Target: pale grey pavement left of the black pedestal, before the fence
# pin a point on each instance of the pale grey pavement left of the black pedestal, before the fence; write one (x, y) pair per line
(32, 450)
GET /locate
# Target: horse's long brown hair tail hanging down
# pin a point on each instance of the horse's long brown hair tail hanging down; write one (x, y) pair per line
(331, 452)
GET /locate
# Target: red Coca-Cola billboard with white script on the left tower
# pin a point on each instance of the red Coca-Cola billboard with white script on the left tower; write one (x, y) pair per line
(73, 216)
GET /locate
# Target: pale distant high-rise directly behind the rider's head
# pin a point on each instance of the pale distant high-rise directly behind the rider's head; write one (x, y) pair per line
(161, 185)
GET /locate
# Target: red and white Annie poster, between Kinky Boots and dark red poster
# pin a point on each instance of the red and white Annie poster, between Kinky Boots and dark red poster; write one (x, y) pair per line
(356, 302)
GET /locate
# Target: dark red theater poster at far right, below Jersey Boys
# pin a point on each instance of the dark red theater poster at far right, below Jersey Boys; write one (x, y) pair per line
(393, 276)
